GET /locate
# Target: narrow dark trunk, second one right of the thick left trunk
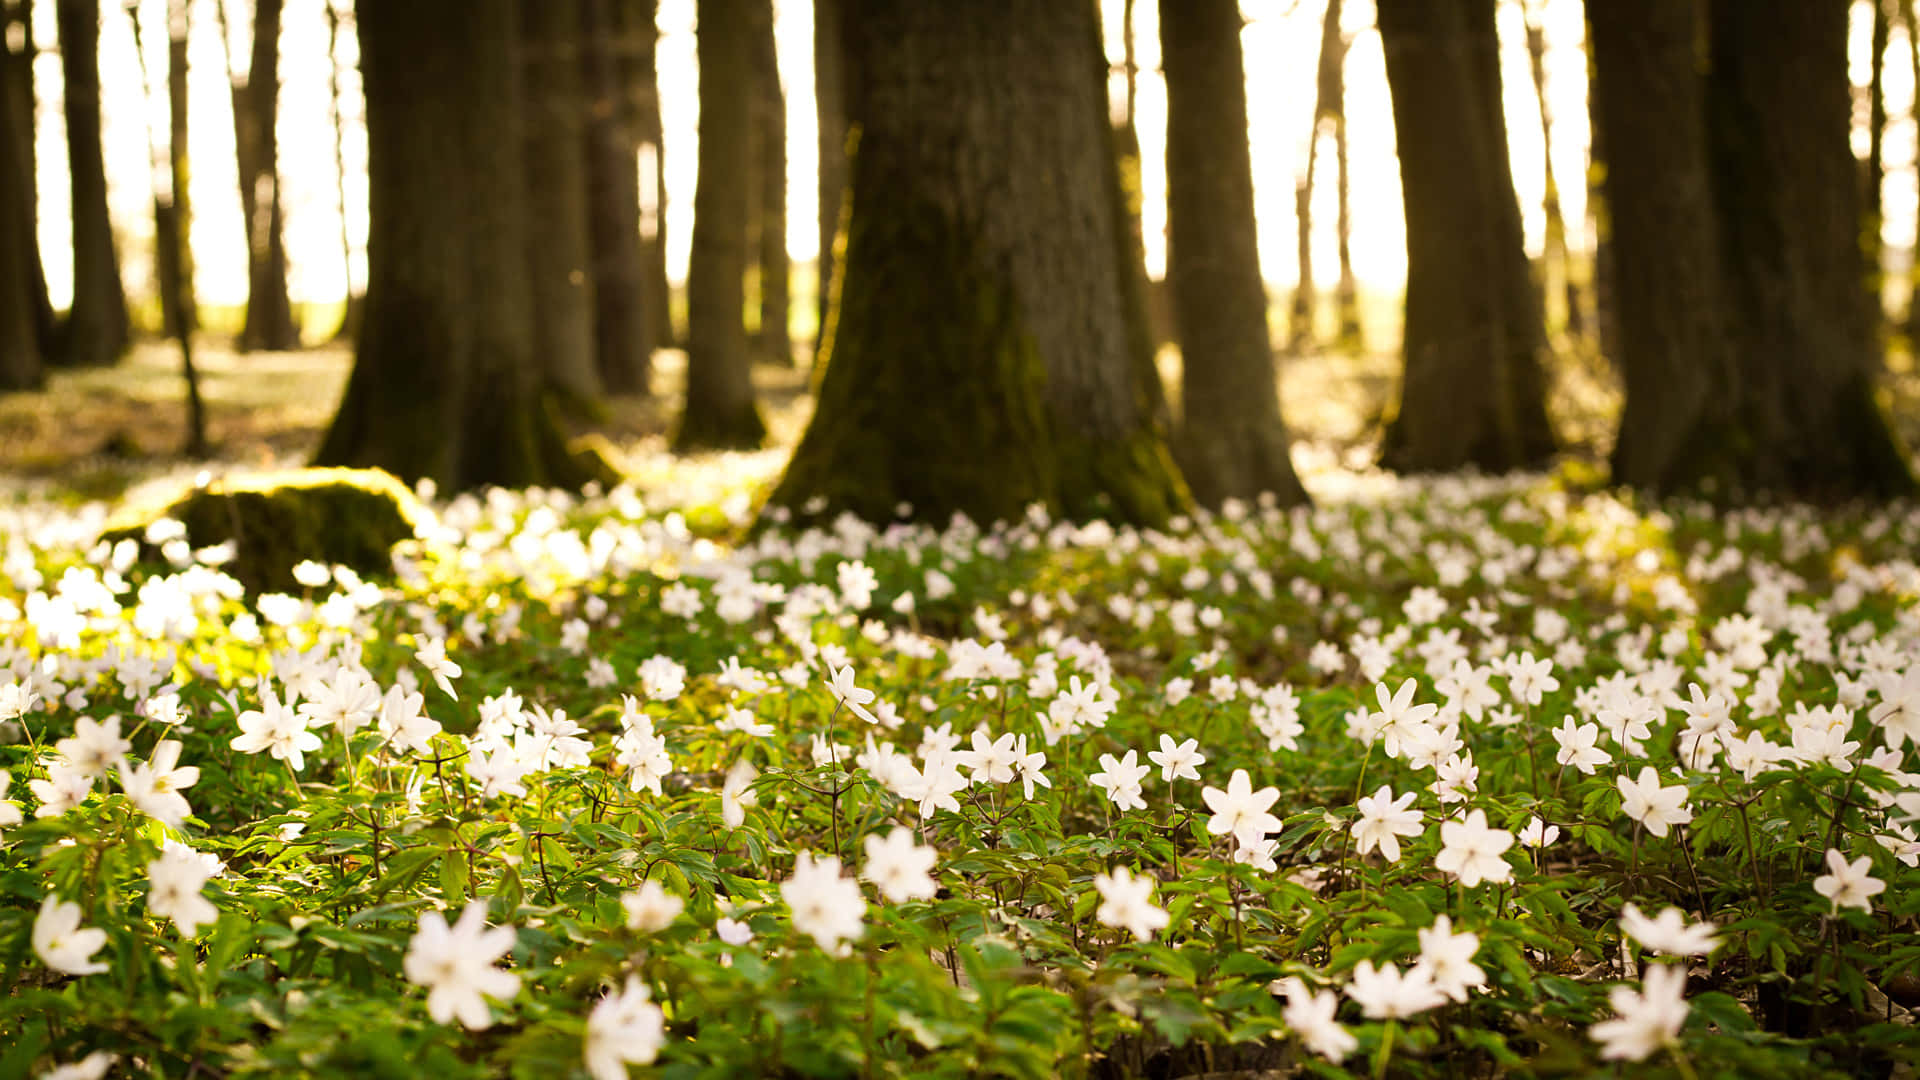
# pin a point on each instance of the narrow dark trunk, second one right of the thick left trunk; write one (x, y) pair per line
(613, 207)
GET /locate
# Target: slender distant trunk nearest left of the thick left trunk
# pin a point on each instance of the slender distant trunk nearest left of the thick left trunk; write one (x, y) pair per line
(256, 97)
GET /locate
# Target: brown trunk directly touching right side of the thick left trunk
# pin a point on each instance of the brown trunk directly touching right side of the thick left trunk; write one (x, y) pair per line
(560, 251)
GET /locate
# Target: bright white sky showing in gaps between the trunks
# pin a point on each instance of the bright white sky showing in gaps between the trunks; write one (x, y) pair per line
(1282, 45)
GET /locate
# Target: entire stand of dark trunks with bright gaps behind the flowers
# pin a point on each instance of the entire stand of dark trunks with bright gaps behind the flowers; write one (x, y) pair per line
(1001, 297)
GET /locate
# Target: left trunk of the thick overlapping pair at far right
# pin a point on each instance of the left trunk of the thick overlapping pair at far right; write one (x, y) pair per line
(1677, 428)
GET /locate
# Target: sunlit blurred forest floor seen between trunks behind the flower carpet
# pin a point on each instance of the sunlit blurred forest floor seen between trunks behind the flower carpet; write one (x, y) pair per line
(99, 433)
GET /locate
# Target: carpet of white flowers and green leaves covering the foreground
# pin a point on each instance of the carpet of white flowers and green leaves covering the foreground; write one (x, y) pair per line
(1433, 779)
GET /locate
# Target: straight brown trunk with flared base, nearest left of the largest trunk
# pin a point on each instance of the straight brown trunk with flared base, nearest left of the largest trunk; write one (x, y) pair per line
(721, 410)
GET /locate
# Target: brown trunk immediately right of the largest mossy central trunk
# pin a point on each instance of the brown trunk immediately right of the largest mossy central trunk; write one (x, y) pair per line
(1232, 443)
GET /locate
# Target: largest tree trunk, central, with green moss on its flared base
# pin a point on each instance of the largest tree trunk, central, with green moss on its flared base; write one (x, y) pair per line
(982, 358)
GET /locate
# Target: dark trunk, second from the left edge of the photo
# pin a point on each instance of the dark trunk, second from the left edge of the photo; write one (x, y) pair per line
(97, 322)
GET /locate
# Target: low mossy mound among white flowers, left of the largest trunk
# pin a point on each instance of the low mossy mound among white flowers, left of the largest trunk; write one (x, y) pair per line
(277, 520)
